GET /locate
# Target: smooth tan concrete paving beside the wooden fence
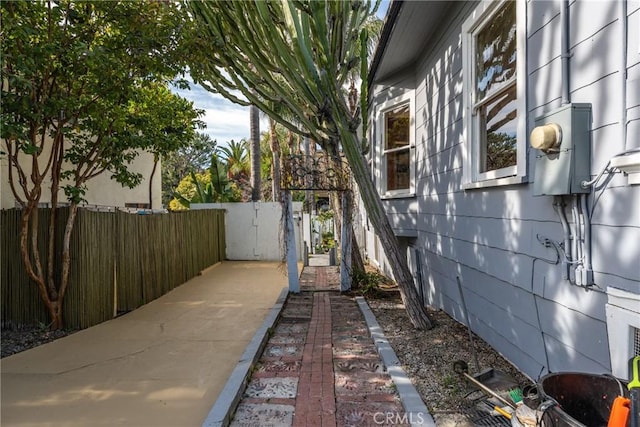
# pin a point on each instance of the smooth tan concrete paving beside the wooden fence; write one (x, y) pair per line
(163, 364)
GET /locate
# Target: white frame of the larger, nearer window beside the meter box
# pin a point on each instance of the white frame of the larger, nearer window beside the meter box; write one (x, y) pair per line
(472, 175)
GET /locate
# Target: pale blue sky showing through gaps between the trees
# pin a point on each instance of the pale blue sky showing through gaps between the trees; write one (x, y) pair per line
(225, 120)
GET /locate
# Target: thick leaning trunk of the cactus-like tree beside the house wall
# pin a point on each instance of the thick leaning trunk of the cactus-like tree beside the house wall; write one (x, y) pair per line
(375, 211)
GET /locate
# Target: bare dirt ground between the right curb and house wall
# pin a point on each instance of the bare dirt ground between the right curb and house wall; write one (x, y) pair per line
(428, 356)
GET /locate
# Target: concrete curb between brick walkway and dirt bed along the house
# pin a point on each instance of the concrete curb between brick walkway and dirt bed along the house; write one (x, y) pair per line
(416, 411)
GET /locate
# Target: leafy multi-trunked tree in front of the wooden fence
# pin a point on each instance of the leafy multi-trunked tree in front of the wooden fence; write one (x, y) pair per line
(84, 93)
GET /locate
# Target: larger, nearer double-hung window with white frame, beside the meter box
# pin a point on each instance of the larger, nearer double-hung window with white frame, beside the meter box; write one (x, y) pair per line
(494, 94)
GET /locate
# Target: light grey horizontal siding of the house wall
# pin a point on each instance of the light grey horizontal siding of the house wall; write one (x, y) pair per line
(518, 302)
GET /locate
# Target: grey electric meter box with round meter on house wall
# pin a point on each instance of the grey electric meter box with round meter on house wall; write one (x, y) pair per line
(562, 143)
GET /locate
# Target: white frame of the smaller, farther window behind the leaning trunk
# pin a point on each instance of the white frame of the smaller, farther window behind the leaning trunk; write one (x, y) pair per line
(407, 98)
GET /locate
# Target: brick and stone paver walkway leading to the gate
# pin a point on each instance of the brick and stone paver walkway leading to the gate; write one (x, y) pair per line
(320, 367)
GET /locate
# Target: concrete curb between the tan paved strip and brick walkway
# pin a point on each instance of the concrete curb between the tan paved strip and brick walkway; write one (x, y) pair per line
(224, 407)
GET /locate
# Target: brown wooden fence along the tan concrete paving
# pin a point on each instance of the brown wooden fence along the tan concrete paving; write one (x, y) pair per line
(119, 261)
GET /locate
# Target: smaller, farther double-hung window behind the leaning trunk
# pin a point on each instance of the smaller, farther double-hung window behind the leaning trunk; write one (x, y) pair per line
(397, 147)
